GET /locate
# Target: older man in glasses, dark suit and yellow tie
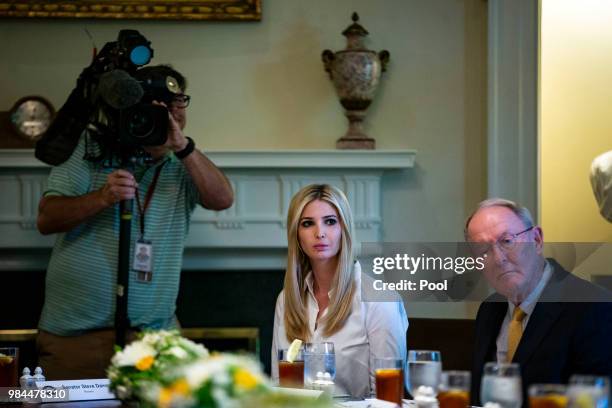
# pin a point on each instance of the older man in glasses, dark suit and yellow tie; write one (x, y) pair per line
(550, 322)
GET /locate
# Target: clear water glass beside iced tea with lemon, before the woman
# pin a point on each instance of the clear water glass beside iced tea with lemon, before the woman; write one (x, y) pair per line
(319, 365)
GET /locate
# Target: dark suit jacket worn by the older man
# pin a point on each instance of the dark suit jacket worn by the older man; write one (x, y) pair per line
(561, 337)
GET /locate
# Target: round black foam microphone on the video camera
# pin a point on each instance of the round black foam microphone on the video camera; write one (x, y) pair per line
(119, 90)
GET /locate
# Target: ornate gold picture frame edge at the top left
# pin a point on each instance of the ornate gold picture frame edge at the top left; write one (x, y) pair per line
(223, 10)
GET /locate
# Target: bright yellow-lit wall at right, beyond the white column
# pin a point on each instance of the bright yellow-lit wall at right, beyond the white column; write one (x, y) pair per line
(576, 124)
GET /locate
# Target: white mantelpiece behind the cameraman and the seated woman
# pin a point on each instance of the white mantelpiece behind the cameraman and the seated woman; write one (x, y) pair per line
(251, 234)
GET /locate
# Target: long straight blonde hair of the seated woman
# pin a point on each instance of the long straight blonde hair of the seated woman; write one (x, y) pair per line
(298, 266)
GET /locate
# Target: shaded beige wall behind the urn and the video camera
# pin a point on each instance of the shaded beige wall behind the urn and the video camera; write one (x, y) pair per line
(262, 85)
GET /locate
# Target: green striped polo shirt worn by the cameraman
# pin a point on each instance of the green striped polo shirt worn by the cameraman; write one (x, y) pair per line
(82, 273)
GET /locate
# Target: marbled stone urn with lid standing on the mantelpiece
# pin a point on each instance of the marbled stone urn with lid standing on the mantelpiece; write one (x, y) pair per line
(355, 73)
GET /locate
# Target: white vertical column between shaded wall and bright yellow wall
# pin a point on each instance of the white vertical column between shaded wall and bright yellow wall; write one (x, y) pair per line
(513, 101)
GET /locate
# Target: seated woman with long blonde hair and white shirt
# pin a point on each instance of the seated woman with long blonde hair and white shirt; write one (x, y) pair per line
(321, 299)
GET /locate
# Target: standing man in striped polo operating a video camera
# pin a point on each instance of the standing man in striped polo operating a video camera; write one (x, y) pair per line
(76, 334)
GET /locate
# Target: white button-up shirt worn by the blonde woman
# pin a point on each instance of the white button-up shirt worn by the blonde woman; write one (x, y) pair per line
(373, 329)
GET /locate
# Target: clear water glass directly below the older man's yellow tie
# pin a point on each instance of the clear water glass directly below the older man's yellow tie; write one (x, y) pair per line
(501, 383)
